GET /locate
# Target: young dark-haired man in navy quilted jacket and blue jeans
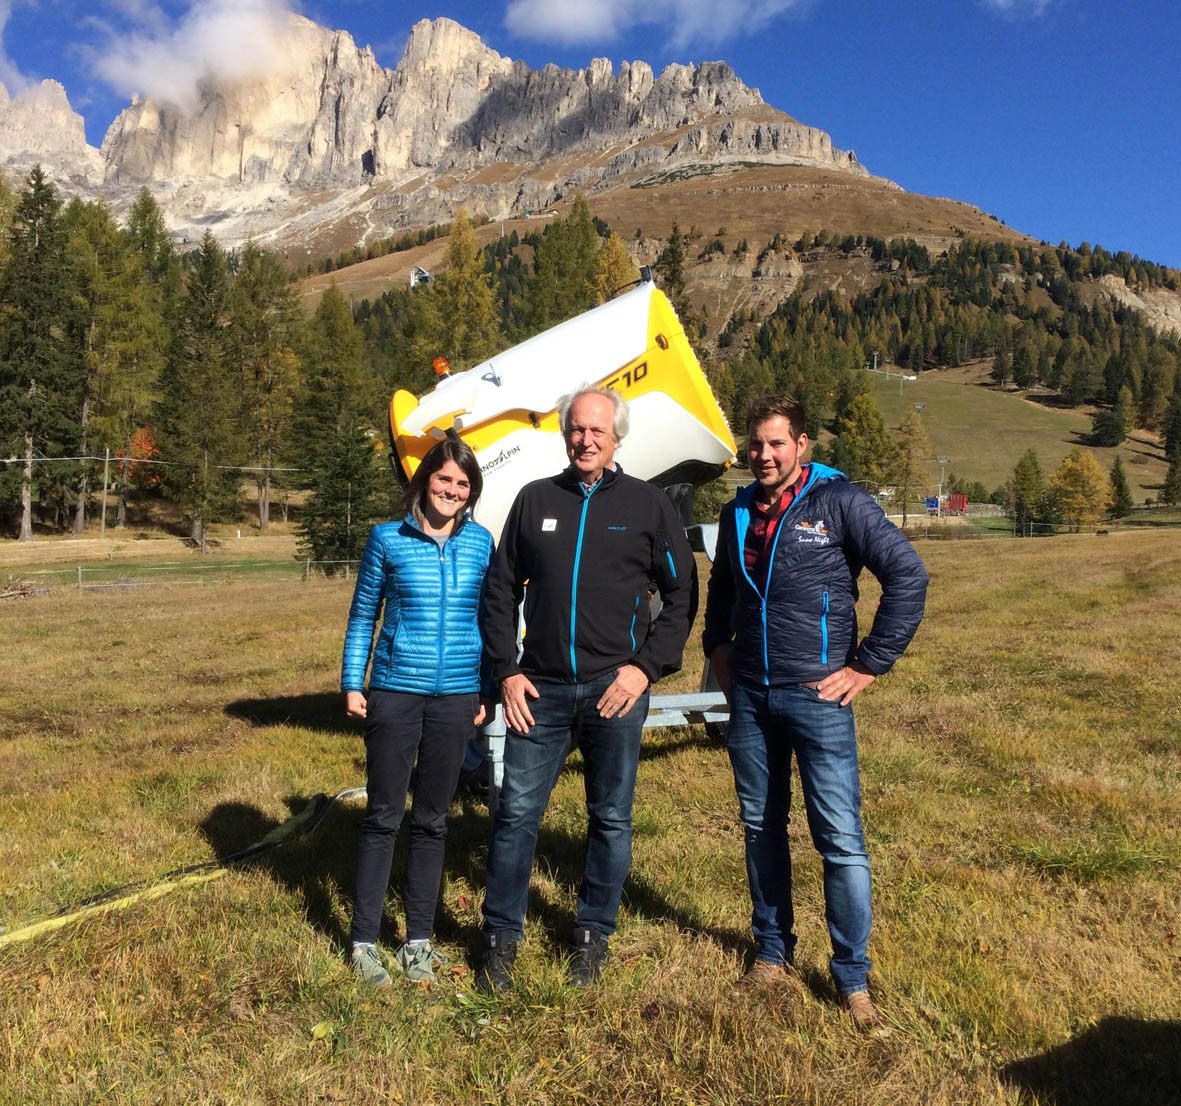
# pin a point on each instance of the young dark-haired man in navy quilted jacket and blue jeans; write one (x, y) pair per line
(781, 634)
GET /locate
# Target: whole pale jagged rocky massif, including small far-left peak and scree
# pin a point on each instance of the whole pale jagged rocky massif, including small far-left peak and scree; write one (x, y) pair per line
(330, 136)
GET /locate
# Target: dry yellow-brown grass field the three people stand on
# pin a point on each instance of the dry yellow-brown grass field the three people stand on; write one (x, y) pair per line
(1022, 802)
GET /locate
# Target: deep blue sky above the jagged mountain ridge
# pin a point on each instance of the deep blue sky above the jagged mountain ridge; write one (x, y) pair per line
(1058, 116)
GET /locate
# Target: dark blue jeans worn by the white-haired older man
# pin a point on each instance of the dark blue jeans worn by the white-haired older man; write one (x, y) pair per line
(533, 762)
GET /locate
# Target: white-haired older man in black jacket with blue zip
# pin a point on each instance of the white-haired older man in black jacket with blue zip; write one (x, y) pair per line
(588, 542)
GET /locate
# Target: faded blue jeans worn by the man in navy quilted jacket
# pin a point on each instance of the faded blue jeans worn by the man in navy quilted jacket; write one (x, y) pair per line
(767, 726)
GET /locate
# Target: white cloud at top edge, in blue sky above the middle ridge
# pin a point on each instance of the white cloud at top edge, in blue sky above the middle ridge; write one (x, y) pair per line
(684, 21)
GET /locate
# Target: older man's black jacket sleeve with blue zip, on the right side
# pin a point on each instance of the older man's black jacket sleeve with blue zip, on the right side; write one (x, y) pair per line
(675, 572)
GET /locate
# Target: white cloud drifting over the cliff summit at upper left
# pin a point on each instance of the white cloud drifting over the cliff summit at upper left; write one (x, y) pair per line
(167, 60)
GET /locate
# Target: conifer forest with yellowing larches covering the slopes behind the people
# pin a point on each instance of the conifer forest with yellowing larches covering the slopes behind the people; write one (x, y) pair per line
(200, 374)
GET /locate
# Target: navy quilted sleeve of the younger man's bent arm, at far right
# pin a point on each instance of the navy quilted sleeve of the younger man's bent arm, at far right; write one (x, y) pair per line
(872, 541)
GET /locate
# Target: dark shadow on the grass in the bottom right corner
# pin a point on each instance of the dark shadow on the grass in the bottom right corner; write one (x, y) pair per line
(1121, 1061)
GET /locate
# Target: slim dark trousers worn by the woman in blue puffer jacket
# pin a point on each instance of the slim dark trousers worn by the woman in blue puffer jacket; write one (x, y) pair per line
(400, 728)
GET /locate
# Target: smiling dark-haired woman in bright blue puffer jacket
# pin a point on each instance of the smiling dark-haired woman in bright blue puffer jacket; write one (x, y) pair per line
(423, 701)
